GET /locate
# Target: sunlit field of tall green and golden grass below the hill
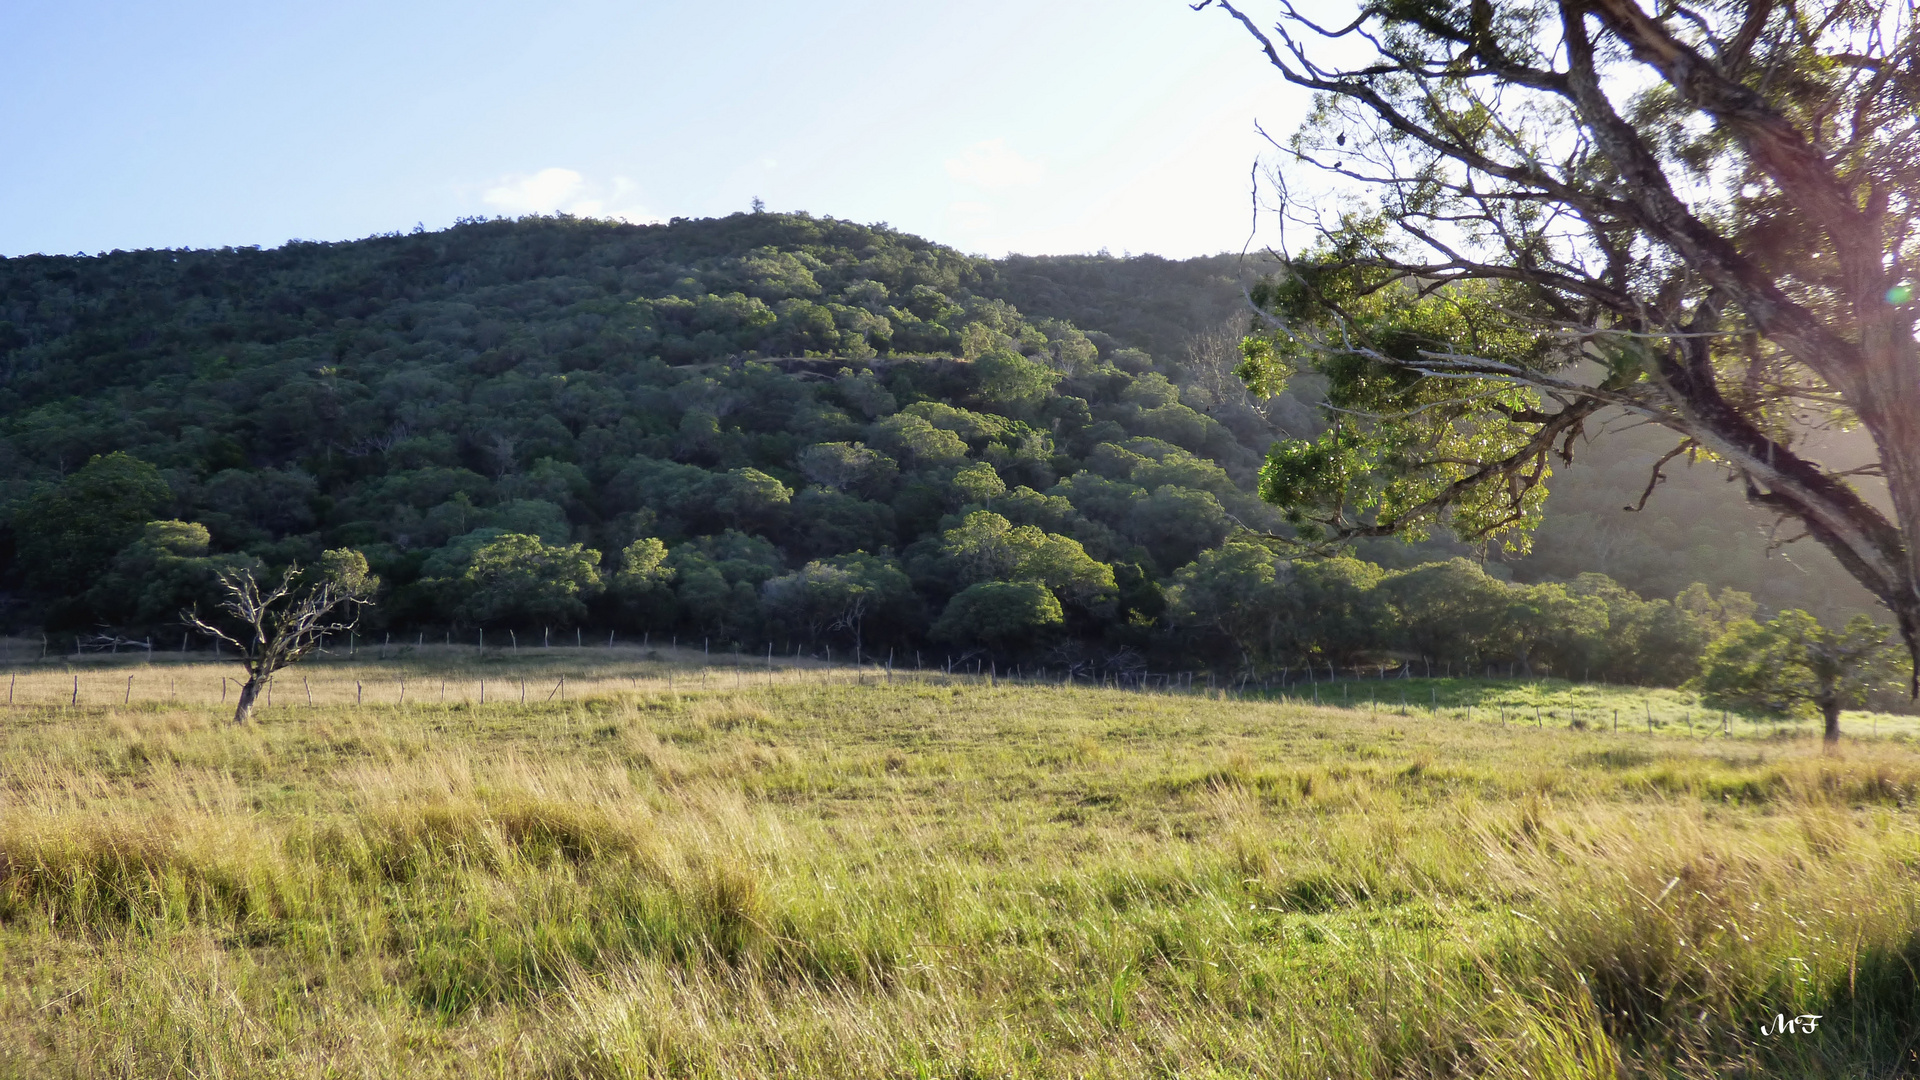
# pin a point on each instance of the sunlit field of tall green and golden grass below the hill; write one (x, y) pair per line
(669, 870)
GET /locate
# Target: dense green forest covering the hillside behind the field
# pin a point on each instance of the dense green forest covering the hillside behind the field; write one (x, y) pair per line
(773, 431)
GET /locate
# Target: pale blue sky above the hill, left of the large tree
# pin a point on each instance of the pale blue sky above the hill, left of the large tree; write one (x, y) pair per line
(994, 126)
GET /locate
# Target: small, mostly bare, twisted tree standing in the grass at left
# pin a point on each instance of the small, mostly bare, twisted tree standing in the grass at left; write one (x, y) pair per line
(283, 626)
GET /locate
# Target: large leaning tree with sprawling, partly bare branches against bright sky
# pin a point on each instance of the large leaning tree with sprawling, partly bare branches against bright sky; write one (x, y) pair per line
(1700, 216)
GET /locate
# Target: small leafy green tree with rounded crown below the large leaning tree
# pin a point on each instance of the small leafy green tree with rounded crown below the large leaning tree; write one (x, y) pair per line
(1794, 662)
